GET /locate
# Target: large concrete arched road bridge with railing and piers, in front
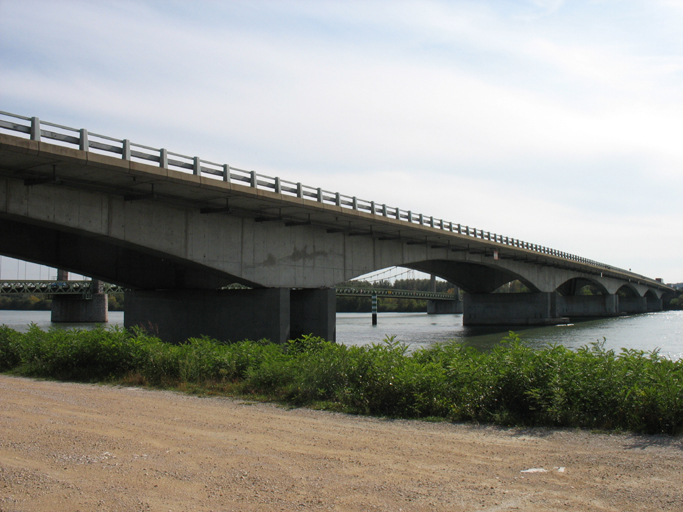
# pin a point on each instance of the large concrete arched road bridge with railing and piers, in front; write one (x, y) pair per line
(176, 229)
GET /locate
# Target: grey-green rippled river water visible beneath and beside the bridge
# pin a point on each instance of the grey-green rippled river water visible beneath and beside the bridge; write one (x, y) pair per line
(650, 331)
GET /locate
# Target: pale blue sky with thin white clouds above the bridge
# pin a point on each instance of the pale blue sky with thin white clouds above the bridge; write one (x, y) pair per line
(558, 123)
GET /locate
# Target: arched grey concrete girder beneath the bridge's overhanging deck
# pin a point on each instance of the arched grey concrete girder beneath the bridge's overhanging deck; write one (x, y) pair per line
(155, 245)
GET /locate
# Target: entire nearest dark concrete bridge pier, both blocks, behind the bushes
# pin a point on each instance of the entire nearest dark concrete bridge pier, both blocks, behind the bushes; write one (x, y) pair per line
(277, 314)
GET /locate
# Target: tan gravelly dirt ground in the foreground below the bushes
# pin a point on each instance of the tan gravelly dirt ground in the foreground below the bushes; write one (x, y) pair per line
(81, 447)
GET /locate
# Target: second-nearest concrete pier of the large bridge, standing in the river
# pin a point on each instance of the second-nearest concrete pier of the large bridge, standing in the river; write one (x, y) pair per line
(511, 309)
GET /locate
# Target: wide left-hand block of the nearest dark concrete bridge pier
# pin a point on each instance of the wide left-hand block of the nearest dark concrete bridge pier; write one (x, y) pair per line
(226, 315)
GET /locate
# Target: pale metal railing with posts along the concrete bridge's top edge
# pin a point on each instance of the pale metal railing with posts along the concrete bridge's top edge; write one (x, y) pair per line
(38, 130)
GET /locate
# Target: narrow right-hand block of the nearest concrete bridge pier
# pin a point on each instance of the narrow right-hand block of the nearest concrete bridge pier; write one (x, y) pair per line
(313, 311)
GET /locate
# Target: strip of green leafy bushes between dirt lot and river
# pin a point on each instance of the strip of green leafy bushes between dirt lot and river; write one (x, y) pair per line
(510, 385)
